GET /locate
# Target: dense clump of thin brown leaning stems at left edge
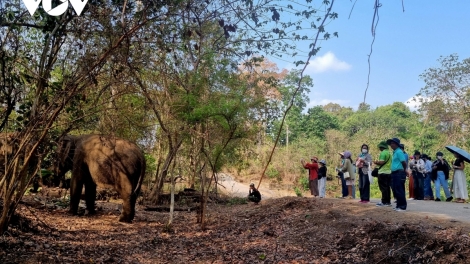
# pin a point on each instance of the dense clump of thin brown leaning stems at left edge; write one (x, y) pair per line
(59, 61)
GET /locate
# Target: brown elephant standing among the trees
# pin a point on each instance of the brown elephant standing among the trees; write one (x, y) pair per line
(97, 160)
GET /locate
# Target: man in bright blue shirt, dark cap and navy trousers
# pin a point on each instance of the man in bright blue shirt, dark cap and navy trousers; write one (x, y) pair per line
(398, 174)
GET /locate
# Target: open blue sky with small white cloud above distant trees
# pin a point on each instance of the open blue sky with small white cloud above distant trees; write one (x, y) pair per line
(406, 44)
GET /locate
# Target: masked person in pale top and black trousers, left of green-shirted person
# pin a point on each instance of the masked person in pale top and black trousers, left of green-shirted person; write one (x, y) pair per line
(363, 162)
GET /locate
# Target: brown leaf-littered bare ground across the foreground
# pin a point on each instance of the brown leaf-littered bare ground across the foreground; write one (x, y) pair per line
(282, 230)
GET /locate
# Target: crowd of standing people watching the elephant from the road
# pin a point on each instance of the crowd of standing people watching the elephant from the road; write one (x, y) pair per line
(392, 169)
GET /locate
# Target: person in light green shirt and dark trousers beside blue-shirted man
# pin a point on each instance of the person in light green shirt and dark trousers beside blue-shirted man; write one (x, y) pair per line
(384, 177)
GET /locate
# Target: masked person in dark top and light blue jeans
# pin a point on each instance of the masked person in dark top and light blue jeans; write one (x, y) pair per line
(440, 175)
